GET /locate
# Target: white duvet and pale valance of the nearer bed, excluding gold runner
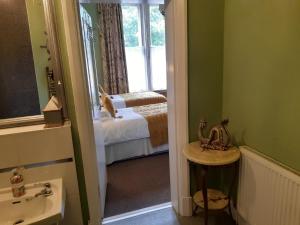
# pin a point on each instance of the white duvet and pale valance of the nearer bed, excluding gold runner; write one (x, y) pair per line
(125, 138)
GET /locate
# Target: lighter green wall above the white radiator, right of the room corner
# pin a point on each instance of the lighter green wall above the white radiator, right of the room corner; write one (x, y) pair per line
(262, 76)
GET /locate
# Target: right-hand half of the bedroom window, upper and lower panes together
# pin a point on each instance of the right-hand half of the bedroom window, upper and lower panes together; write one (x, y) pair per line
(158, 52)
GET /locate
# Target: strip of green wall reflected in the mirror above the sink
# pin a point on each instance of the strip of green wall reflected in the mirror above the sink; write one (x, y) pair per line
(37, 27)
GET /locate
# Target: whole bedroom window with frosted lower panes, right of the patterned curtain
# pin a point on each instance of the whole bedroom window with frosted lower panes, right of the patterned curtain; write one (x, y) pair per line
(144, 35)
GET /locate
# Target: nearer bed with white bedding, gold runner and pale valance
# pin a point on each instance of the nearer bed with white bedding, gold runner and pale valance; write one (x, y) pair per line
(137, 131)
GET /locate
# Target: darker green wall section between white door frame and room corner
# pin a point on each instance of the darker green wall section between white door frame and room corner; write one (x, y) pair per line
(205, 44)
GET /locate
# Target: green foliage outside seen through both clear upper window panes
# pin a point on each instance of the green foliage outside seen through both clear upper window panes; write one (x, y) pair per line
(131, 26)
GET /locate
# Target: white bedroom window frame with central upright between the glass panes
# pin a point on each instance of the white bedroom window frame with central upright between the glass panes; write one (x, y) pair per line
(144, 16)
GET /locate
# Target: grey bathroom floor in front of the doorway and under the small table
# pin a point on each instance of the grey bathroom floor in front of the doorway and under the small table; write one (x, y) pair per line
(169, 217)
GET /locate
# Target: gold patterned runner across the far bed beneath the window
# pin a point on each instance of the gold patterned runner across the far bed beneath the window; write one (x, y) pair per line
(142, 98)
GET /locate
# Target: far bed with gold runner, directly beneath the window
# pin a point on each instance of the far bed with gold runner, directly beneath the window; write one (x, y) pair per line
(136, 99)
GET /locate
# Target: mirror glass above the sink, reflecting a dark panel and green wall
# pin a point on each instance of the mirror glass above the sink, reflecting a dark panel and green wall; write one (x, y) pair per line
(26, 78)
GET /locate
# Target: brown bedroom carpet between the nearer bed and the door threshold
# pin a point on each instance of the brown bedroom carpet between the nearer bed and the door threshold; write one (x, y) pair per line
(137, 183)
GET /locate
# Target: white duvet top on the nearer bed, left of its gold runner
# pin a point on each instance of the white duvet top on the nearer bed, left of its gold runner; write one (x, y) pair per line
(131, 126)
